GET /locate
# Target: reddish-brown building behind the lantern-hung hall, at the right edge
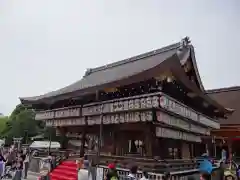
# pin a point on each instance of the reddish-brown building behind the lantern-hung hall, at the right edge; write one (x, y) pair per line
(228, 135)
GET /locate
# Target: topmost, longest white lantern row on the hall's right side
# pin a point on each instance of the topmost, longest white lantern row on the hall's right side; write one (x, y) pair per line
(182, 110)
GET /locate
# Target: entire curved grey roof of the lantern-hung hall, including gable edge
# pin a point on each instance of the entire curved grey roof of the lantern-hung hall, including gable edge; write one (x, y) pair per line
(123, 72)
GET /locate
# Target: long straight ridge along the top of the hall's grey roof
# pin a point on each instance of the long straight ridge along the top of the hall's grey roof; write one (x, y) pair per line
(134, 58)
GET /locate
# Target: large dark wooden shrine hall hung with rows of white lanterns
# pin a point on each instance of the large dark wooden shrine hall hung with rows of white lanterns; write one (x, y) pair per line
(150, 105)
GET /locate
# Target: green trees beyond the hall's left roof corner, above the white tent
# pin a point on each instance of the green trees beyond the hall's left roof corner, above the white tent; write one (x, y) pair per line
(22, 123)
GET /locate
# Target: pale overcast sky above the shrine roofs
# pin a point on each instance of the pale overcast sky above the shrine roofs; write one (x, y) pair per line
(48, 44)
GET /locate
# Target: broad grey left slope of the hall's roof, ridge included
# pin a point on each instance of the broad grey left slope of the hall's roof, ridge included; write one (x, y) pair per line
(114, 71)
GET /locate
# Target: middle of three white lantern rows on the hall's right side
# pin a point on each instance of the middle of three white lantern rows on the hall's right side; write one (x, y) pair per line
(177, 122)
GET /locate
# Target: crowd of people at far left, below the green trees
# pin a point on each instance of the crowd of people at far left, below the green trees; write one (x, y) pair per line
(14, 163)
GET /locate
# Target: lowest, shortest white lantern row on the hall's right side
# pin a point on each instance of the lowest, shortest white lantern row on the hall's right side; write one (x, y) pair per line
(174, 134)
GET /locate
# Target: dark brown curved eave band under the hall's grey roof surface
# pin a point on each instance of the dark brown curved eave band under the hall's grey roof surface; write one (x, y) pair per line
(172, 64)
